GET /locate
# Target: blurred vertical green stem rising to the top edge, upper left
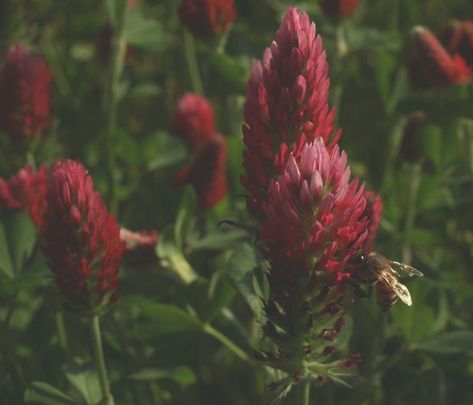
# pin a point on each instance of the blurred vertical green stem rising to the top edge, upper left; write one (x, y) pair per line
(118, 58)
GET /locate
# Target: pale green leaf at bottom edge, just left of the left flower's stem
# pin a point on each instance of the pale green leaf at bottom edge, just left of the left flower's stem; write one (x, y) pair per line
(84, 378)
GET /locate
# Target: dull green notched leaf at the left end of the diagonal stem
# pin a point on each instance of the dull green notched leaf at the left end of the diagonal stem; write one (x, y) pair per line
(162, 319)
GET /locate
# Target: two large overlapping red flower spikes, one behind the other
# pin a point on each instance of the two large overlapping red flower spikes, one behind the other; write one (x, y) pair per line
(312, 219)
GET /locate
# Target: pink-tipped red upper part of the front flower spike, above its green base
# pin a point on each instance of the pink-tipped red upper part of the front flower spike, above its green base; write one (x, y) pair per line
(314, 216)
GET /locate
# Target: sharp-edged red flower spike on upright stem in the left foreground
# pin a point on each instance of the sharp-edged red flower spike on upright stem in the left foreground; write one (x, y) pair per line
(81, 240)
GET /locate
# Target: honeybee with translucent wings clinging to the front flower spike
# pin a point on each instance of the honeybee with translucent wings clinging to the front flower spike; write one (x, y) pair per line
(375, 269)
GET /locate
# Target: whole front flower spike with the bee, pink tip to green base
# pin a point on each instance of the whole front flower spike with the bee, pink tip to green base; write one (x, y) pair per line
(315, 224)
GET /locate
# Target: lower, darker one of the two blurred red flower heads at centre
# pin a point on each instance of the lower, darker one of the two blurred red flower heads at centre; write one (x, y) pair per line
(207, 172)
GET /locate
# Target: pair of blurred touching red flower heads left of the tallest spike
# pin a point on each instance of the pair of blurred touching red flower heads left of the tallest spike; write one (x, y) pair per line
(194, 124)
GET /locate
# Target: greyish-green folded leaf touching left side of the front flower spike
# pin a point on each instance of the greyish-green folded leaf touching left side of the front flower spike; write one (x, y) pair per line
(241, 271)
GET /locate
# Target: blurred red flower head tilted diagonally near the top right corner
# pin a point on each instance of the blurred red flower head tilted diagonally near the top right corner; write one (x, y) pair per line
(432, 64)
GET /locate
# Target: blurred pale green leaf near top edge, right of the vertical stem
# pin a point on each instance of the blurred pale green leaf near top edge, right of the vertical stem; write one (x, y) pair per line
(145, 33)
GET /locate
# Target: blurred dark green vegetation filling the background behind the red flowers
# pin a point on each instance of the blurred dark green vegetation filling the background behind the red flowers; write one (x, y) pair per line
(157, 345)
